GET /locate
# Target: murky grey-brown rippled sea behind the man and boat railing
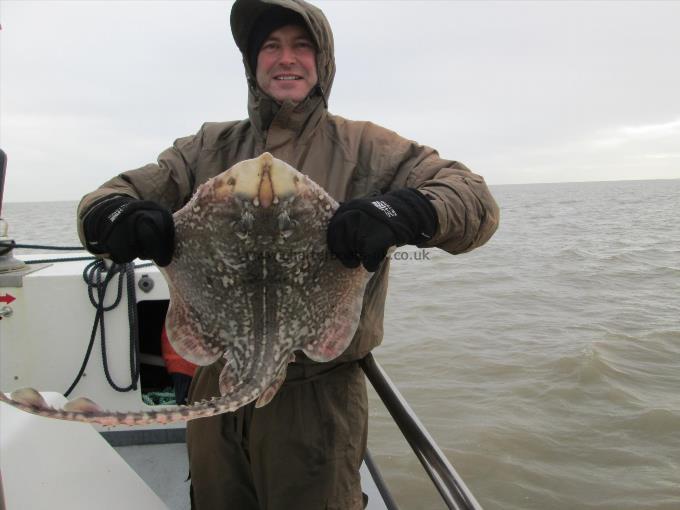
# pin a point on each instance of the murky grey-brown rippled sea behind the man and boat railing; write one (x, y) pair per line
(546, 364)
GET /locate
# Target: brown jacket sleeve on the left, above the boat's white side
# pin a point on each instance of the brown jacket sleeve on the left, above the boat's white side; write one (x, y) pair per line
(168, 182)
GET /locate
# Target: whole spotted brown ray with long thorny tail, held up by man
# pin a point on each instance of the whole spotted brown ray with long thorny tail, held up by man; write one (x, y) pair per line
(251, 280)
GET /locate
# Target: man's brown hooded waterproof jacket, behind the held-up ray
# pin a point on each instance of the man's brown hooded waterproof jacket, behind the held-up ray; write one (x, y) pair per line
(348, 158)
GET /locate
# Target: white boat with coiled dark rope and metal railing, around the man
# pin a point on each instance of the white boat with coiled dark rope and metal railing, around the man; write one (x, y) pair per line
(70, 321)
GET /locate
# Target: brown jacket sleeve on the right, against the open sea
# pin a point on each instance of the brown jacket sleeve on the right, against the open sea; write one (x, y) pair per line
(468, 215)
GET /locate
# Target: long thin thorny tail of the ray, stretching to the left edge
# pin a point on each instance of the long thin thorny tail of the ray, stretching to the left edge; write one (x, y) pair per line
(85, 410)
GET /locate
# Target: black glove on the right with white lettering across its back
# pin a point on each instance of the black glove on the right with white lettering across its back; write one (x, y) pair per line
(363, 229)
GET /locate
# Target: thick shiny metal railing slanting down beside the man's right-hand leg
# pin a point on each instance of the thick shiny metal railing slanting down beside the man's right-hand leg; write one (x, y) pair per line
(448, 482)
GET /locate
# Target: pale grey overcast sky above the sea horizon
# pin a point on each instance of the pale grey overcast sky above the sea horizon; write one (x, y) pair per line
(519, 91)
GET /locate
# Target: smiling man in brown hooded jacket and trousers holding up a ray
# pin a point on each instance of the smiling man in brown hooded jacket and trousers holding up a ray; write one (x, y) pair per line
(303, 449)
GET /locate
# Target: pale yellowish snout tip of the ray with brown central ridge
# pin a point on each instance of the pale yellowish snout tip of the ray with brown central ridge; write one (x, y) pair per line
(263, 181)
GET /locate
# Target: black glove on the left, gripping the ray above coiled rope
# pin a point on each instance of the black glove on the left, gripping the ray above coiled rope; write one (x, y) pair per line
(127, 228)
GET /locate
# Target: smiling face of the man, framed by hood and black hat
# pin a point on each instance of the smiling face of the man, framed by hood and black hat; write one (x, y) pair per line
(286, 64)
